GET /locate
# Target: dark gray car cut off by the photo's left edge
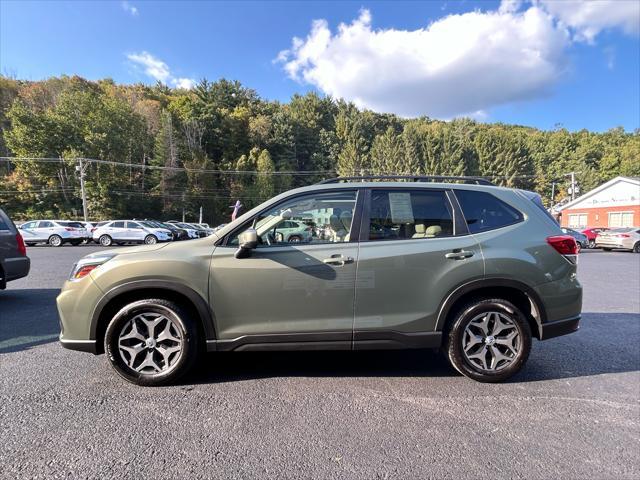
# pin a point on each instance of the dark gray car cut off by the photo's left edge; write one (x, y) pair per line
(14, 262)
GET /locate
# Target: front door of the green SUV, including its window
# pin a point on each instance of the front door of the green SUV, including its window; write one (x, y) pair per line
(302, 288)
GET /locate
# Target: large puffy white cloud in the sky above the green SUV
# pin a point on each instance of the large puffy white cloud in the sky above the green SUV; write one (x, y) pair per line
(458, 64)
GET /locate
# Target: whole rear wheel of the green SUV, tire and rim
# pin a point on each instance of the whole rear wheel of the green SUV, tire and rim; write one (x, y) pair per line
(489, 340)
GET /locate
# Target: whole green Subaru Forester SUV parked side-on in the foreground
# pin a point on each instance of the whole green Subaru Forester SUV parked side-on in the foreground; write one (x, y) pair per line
(423, 262)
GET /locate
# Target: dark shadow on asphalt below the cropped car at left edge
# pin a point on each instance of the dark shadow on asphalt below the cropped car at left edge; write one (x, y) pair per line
(28, 317)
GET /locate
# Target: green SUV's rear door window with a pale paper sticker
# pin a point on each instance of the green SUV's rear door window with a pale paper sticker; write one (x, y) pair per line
(405, 214)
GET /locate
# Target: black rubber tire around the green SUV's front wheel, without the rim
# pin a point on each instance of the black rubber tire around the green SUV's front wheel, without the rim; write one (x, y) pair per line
(184, 324)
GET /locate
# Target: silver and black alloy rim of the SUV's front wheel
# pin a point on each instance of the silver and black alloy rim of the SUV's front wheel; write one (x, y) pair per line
(150, 343)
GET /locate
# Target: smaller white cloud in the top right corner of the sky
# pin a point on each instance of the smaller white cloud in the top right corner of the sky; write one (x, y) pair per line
(588, 18)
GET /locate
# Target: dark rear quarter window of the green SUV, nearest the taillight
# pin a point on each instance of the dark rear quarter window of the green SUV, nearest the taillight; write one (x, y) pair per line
(483, 211)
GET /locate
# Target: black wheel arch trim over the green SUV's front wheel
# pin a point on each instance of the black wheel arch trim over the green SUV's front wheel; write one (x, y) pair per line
(121, 295)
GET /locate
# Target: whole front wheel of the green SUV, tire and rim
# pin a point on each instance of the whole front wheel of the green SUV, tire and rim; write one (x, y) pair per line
(151, 342)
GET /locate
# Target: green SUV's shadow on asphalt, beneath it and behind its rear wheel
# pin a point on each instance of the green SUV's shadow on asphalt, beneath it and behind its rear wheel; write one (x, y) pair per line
(606, 343)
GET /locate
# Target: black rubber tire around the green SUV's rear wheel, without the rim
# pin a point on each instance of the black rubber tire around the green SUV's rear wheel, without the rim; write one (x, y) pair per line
(454, 342)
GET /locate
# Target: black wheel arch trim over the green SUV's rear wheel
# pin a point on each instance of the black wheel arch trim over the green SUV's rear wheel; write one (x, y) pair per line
(518, 293)
